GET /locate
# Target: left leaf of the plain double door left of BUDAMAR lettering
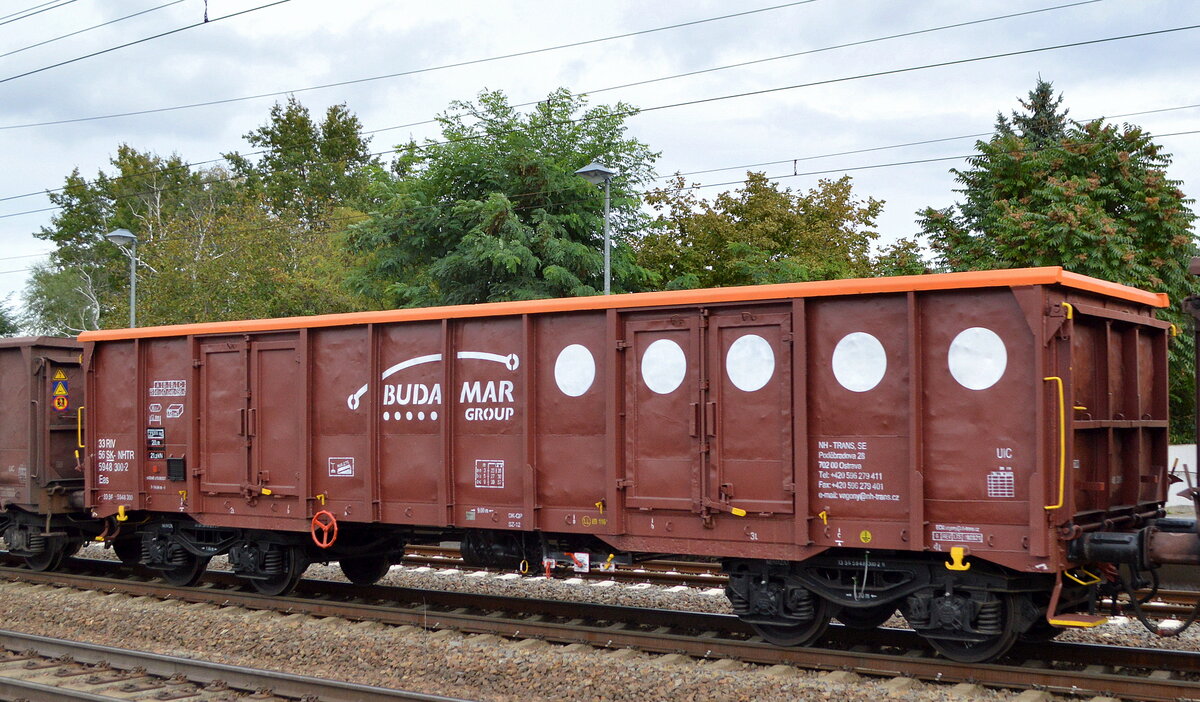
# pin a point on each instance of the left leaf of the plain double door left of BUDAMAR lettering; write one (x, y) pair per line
(225, 409)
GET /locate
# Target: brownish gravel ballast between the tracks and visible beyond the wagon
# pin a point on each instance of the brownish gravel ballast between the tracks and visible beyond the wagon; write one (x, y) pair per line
(472, 667)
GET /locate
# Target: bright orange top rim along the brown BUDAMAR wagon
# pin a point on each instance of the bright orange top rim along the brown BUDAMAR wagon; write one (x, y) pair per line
(988, 279)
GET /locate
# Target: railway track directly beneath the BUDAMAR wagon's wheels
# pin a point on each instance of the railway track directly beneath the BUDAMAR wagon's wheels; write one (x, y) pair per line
(1126, 673)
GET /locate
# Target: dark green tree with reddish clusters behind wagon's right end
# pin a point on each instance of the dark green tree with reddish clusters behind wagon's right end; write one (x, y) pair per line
(1095, 200)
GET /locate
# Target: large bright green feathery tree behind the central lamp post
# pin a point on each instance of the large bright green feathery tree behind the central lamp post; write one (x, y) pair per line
(495, 212)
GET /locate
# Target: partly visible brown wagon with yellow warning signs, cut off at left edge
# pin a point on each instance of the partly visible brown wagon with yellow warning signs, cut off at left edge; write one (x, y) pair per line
(41, 476)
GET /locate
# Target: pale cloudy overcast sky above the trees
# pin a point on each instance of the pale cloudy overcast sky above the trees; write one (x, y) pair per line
(301, 44)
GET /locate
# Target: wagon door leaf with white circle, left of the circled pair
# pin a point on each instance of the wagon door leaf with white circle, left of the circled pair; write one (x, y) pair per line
(663, 413)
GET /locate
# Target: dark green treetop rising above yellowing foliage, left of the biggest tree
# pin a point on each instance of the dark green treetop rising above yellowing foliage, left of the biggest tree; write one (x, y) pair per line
(305, 169)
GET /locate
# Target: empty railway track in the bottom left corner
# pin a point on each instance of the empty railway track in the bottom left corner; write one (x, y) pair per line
(51, 670)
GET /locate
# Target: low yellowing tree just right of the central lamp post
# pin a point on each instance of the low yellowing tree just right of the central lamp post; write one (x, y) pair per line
(759, 235)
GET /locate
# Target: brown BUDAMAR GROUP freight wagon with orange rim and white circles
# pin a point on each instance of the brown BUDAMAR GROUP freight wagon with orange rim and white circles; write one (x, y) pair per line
(931, 443)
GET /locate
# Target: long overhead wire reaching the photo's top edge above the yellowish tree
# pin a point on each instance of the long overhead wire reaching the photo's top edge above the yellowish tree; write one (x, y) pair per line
(412, 73)
